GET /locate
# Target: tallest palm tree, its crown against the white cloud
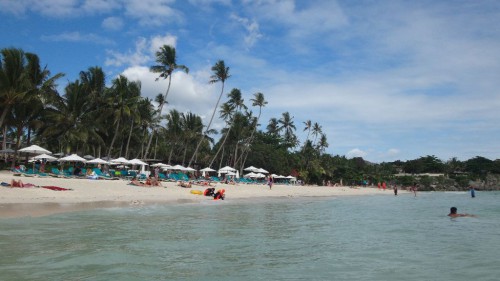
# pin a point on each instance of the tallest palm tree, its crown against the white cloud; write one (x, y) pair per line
(167, 64)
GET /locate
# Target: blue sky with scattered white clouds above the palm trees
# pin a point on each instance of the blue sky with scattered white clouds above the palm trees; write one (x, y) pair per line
(386, 80)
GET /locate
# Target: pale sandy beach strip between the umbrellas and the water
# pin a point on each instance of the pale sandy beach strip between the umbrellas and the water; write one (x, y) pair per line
(89, 194)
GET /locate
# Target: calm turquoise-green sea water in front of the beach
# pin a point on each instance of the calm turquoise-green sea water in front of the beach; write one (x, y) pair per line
(346, 238)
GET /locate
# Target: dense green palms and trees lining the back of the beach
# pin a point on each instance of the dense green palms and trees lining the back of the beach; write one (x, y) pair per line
(110, 118)
